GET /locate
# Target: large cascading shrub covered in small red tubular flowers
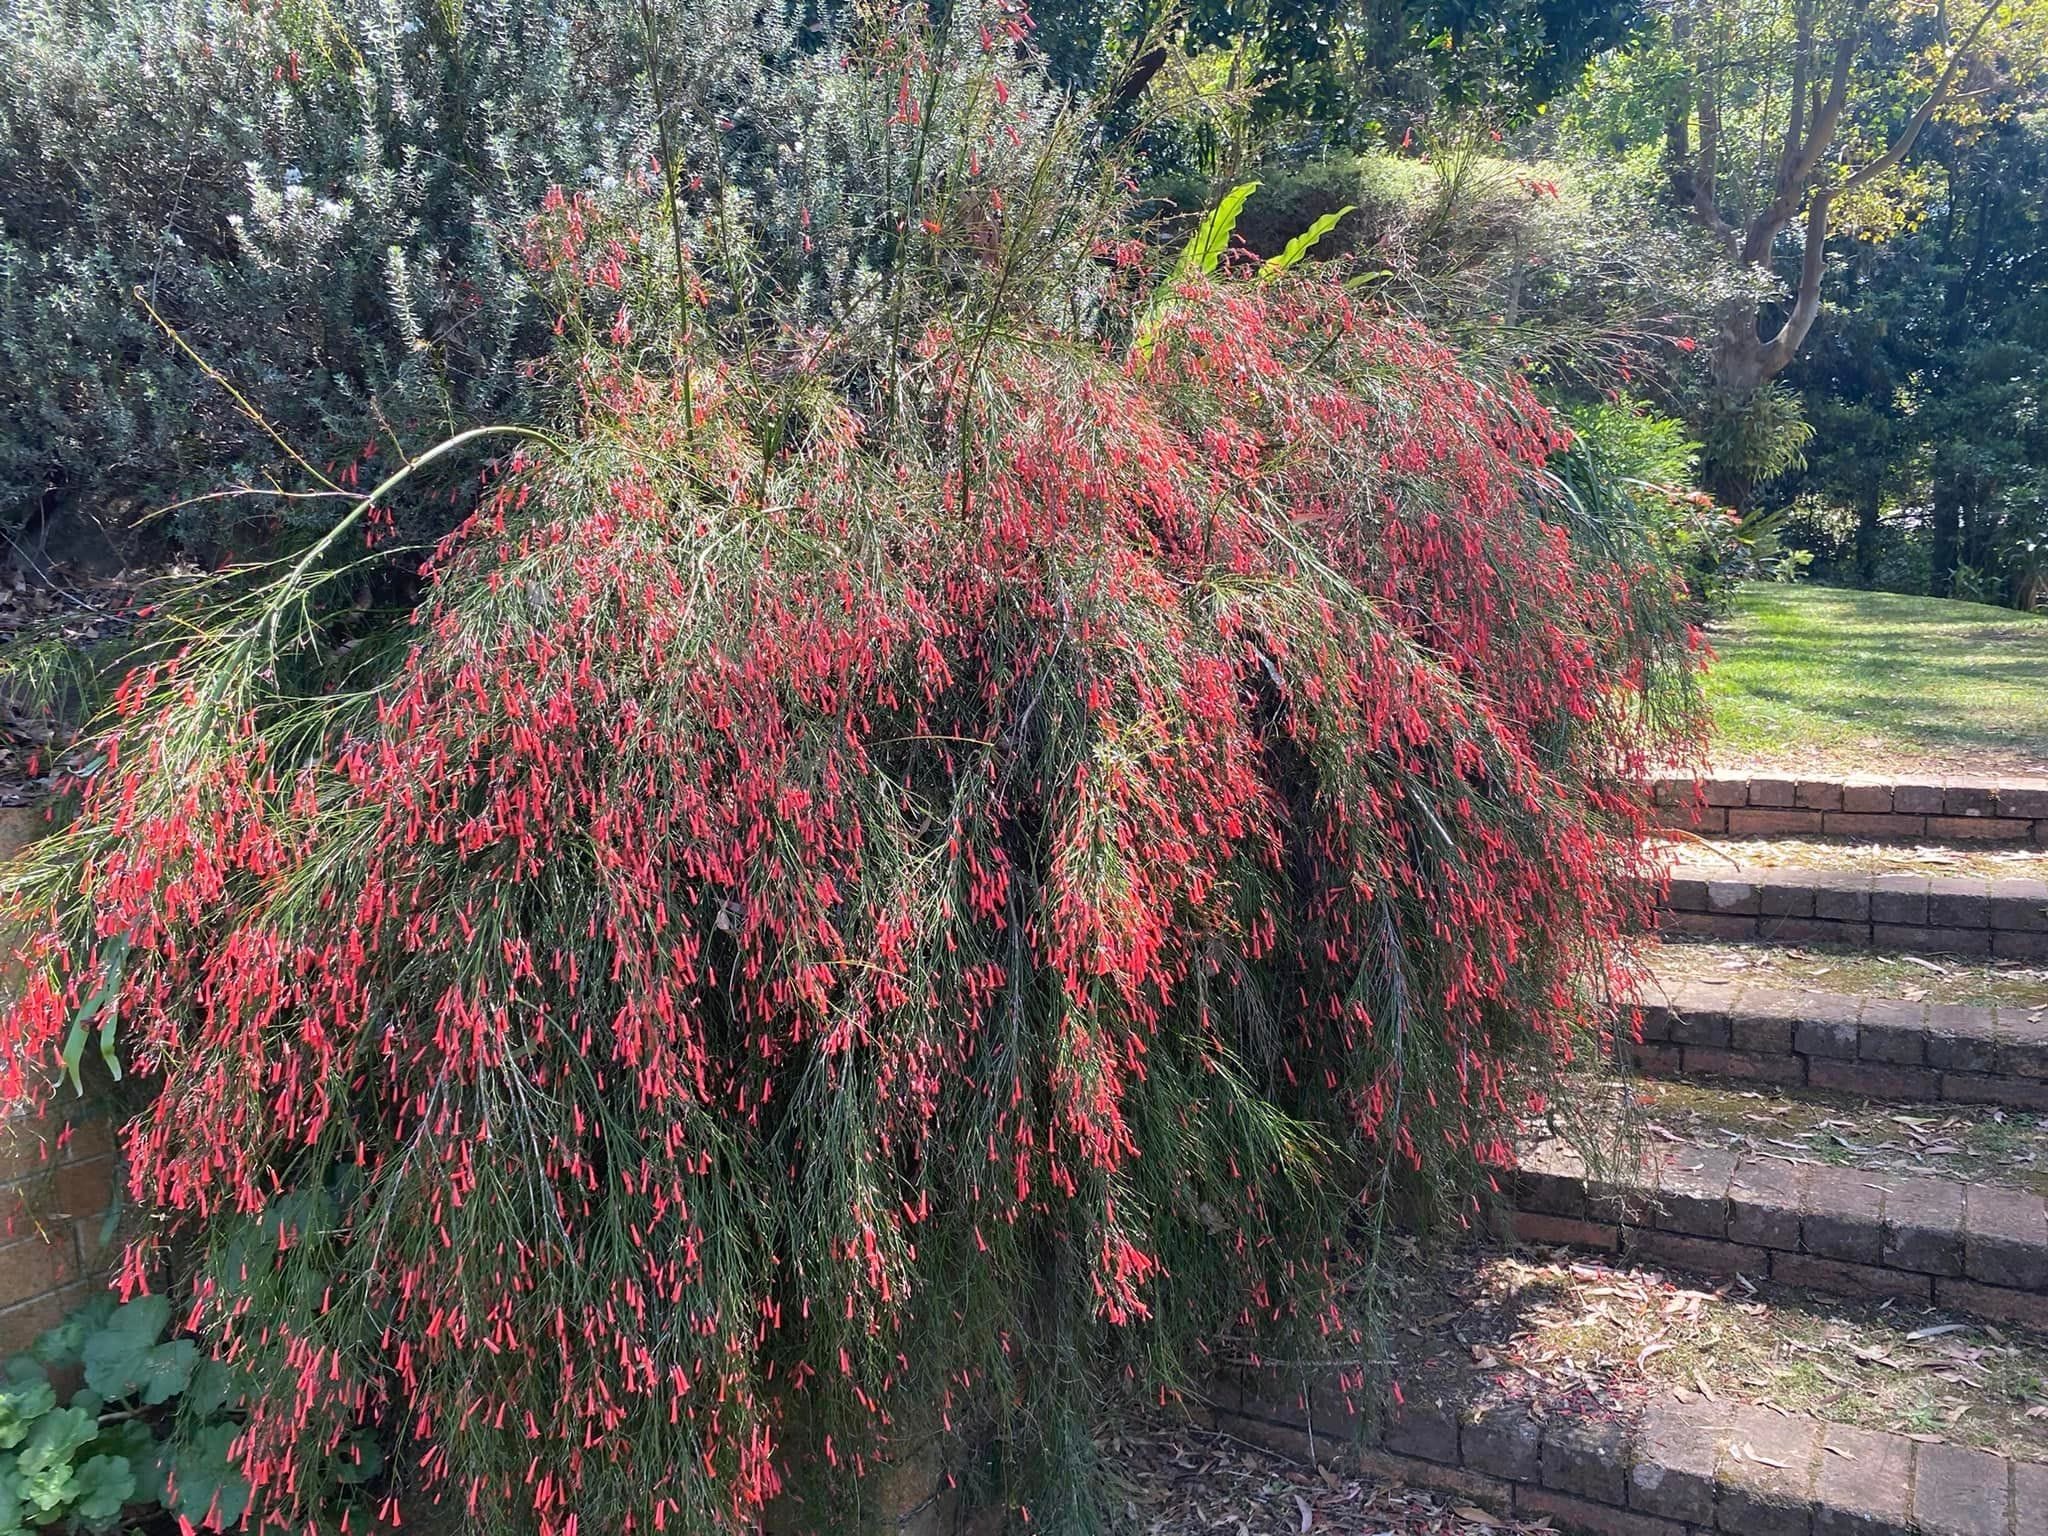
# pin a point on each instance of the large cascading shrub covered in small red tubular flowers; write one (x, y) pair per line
(914, 865)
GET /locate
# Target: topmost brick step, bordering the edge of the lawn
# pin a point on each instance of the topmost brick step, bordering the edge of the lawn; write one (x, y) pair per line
(1777, 806)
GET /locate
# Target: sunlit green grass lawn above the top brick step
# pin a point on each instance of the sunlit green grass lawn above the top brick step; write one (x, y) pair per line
(1875, 683)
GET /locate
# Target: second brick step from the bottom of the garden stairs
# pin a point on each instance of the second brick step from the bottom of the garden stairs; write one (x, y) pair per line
(1971, 1248)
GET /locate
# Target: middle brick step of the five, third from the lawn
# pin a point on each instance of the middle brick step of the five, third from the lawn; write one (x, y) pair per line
(1877, 1048)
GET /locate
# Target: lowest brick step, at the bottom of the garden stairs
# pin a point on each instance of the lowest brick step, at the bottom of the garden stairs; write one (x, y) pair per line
(1664, 1469)
